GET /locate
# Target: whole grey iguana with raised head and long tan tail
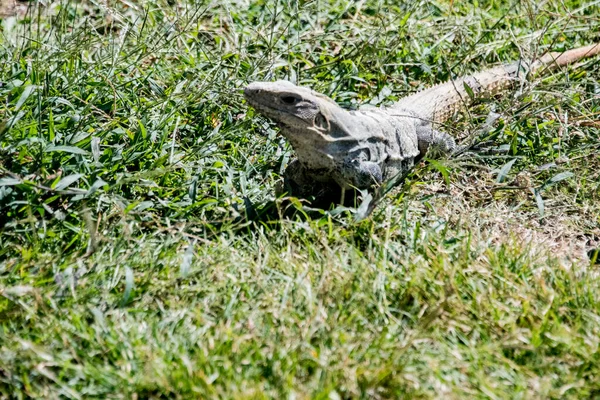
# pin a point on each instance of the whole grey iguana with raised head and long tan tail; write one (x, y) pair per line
(359, 149)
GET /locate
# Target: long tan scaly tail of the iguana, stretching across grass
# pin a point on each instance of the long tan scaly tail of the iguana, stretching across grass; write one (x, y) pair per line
(439, 102)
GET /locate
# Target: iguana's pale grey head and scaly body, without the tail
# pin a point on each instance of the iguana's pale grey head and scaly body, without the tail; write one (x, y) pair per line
(351, 148)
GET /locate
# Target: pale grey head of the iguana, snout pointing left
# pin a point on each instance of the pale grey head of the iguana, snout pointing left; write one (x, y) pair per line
(292, 107)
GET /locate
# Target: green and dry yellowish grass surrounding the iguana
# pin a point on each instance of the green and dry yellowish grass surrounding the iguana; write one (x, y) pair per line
(143, 254)
